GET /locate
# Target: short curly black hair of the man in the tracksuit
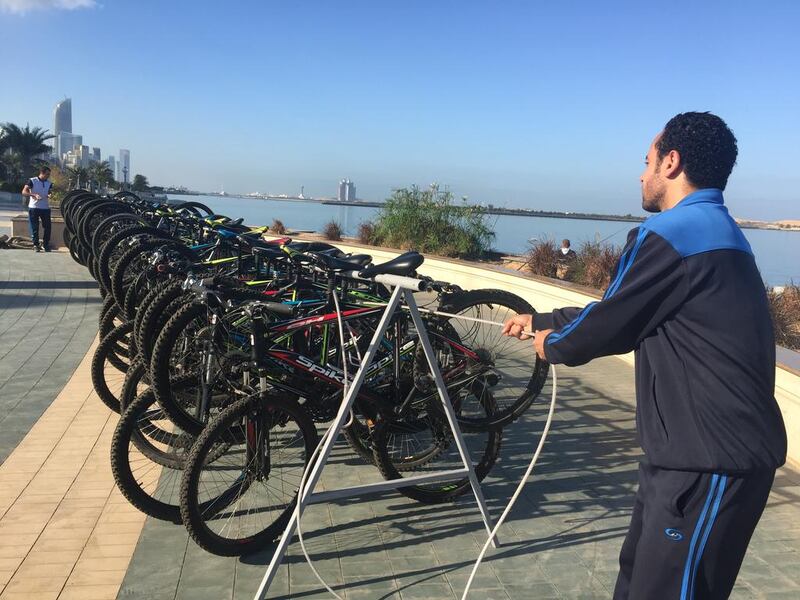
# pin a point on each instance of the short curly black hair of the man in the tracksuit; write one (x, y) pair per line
(707, 147)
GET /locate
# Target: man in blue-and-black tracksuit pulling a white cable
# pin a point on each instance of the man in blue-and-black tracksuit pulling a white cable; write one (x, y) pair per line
(688, 299)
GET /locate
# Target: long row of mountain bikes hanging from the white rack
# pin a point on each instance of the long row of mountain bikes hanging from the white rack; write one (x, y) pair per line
(223, 352)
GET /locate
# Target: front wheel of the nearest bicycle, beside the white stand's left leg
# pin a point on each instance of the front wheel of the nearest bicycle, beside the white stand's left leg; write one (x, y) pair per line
(242, 477)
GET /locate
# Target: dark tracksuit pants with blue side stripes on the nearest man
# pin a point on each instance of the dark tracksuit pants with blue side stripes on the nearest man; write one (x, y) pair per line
(689, 533)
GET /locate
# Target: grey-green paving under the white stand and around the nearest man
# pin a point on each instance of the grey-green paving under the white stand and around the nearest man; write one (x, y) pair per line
(561, 541)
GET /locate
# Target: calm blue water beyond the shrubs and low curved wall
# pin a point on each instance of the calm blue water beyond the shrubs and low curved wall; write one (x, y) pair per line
(776, 251)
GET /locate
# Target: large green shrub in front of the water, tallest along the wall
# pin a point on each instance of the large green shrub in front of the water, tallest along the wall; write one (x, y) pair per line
(429, 221)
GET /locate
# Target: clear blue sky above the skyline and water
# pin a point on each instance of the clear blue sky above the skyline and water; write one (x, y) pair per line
(548, 105)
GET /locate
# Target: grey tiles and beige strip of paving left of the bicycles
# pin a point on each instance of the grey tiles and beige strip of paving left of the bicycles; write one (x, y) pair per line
(64, 533)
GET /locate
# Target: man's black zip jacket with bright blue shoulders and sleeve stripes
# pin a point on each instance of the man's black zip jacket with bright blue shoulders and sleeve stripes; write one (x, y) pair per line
(688, 298)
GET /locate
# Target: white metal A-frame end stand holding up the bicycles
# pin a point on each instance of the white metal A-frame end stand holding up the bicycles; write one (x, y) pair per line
(403, 287)
